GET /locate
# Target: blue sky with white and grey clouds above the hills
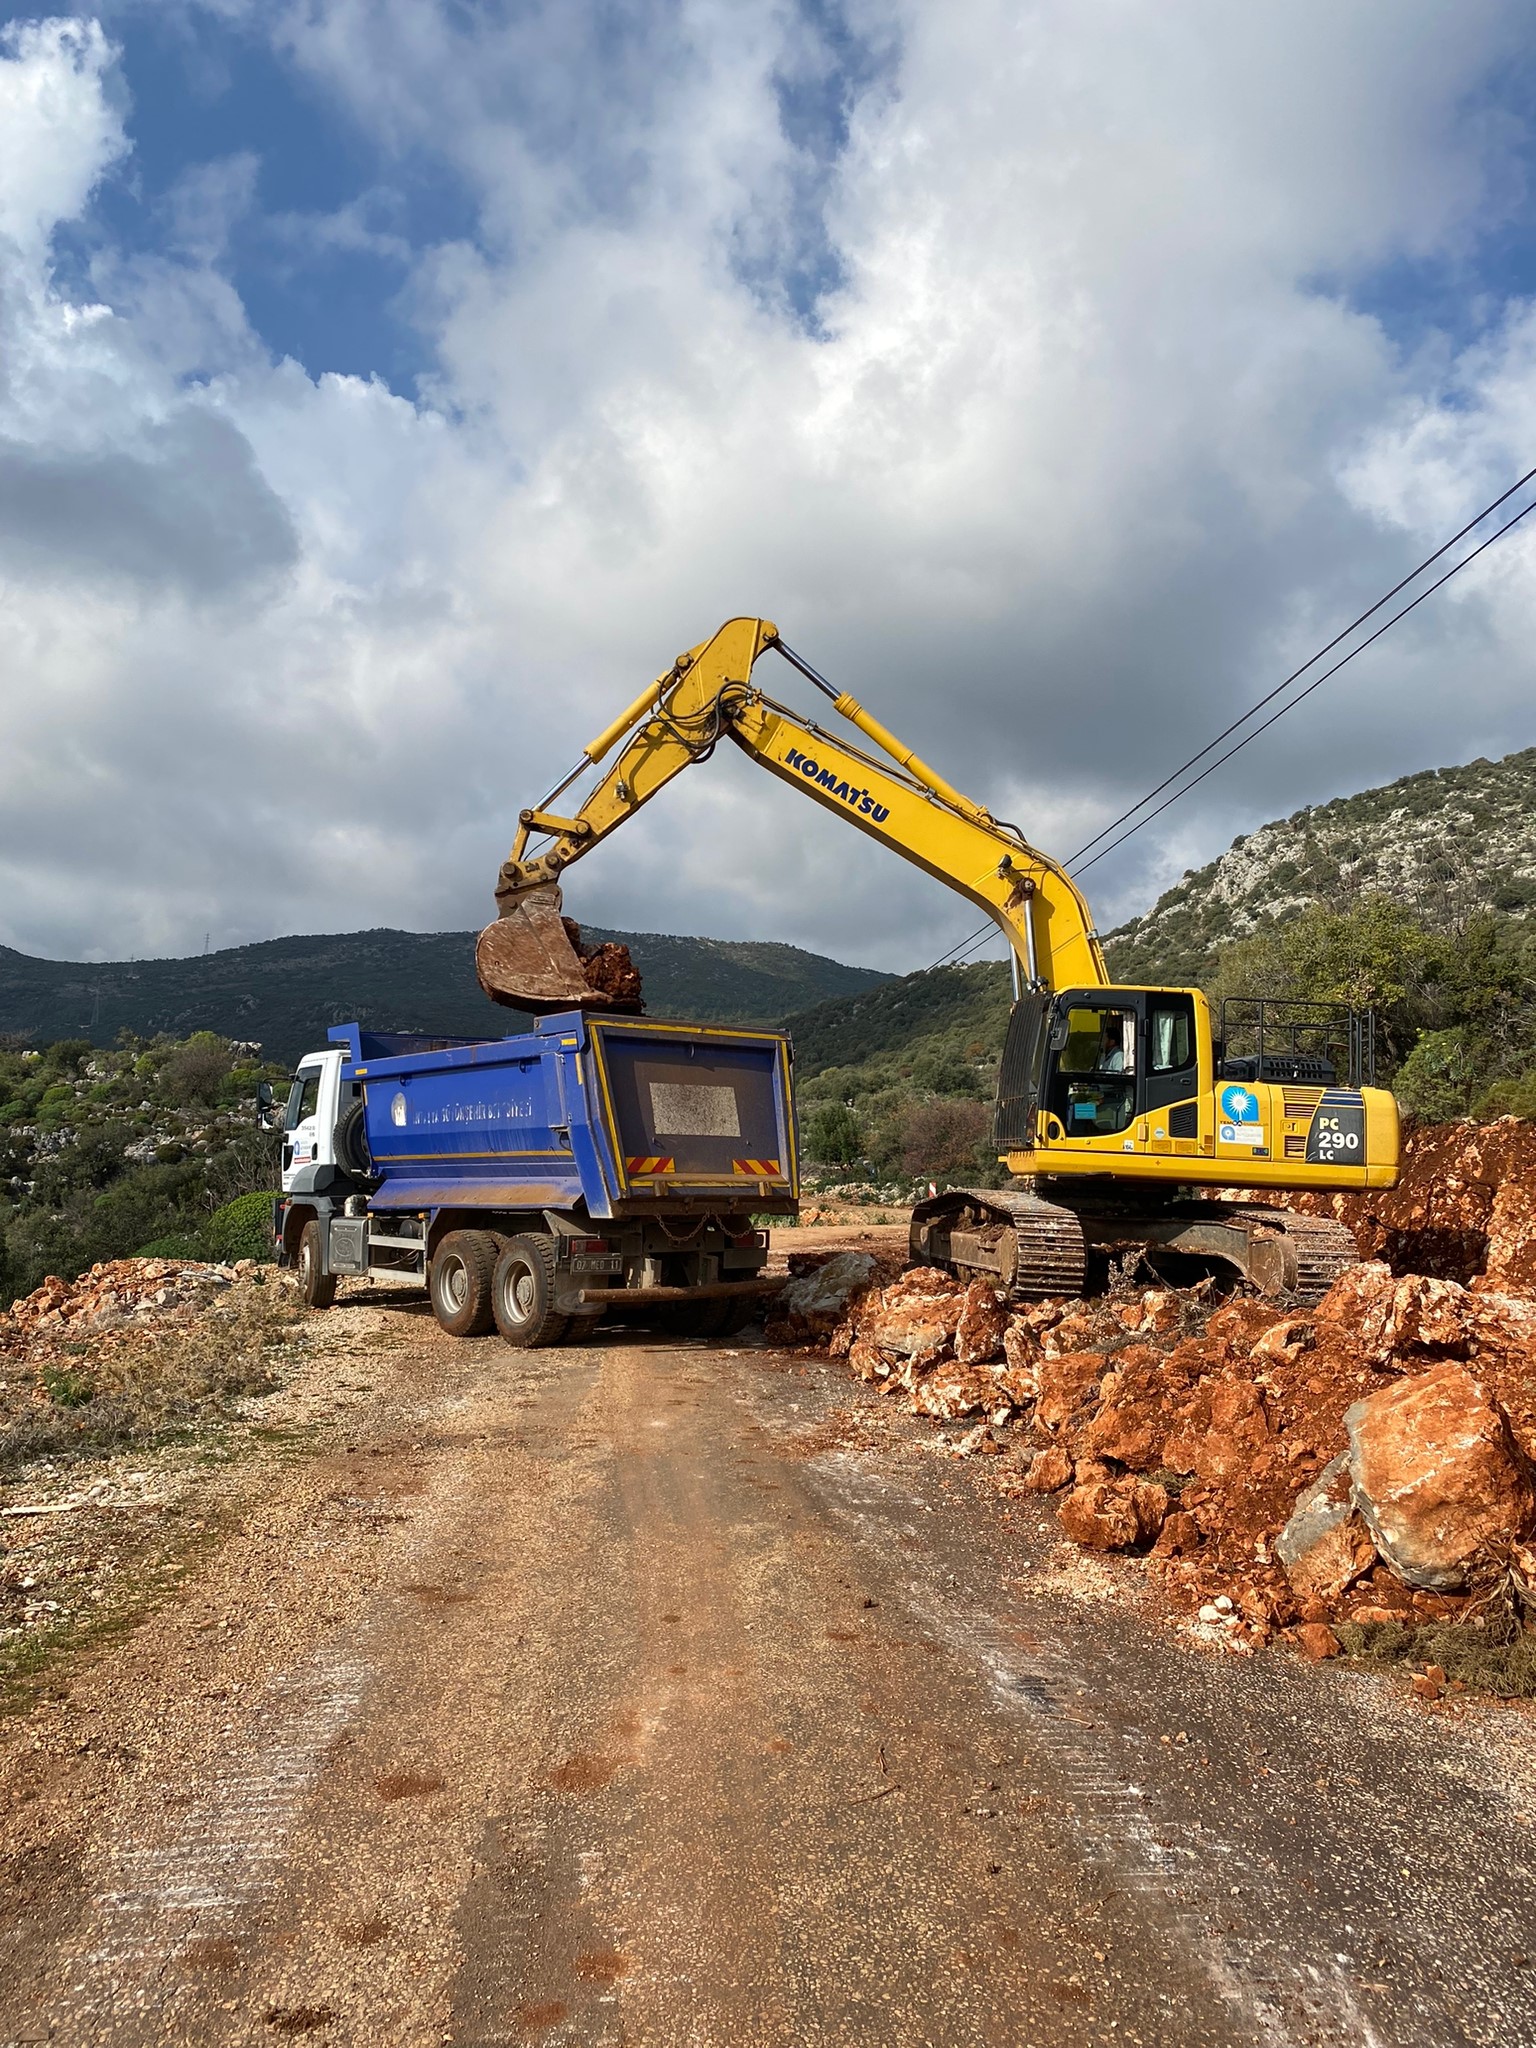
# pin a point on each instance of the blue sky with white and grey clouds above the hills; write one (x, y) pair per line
(390, 388)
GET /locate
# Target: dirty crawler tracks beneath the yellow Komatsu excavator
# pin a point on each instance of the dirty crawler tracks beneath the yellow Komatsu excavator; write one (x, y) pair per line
(1039, 1248)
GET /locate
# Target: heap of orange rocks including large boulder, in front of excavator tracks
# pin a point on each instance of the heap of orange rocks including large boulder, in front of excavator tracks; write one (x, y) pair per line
(1363, 1461)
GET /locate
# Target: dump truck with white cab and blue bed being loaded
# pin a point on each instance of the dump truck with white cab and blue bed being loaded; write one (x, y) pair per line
(538, 1183)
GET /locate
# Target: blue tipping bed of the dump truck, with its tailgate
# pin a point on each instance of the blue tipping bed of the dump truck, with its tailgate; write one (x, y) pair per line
(622, 1115)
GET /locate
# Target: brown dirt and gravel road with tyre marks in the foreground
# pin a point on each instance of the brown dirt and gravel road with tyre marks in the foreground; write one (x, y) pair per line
(685, 1697)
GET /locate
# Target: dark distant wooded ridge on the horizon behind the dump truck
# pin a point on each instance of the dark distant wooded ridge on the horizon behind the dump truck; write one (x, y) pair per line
(288, 992)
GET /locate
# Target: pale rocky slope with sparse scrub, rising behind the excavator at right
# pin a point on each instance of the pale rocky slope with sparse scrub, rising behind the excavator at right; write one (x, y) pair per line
(1445, 845)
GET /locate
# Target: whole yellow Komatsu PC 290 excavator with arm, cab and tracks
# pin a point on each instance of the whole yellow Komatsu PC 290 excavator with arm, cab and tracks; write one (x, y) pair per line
(1115, 1105)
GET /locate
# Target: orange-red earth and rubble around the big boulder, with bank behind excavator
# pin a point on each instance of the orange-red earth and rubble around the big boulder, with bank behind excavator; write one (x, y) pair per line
(1185, 1426)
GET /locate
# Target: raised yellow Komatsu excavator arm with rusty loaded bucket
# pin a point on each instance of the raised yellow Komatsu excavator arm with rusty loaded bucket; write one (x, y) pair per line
(710, 695)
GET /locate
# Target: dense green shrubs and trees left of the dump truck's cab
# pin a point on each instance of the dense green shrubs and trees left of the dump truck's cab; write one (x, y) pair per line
(148, 1146)
